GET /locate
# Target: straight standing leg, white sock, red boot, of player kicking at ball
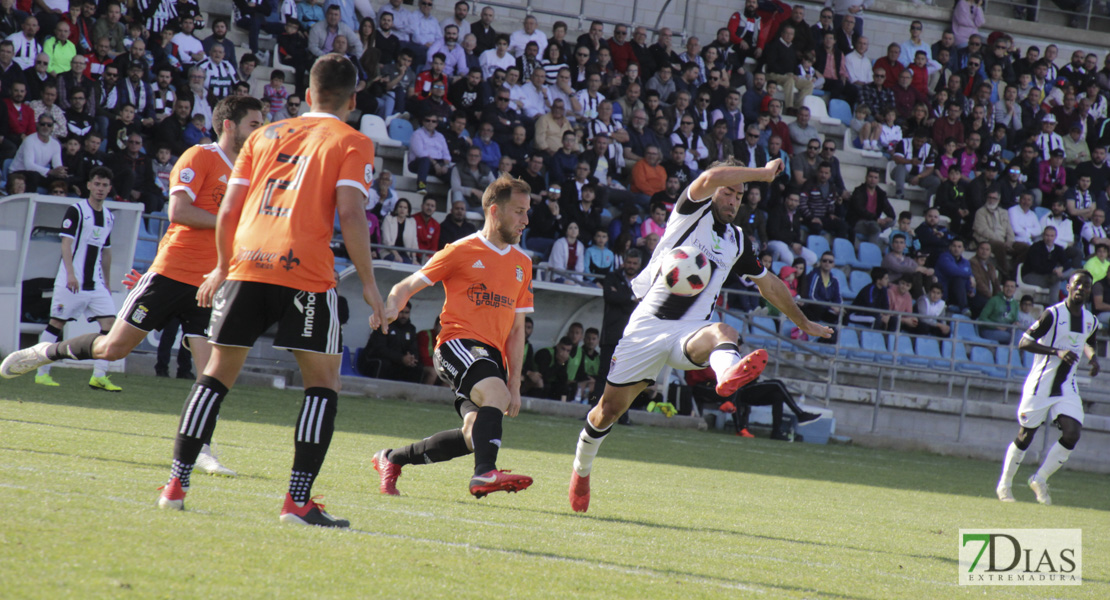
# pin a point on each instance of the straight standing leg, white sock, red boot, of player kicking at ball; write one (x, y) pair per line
(614, 402)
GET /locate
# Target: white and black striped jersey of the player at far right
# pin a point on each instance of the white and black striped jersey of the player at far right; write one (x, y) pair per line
(1062, 330)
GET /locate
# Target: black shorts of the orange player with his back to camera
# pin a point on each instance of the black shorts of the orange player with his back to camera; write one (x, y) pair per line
(307, 321)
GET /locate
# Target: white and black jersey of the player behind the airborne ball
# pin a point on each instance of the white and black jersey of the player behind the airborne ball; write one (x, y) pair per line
(692, 223)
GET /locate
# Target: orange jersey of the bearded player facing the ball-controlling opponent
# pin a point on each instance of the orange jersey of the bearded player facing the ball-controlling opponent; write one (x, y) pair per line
(486, 289)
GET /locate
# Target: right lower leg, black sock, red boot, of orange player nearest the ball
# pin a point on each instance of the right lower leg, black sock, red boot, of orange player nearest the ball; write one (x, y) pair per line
(492, 396)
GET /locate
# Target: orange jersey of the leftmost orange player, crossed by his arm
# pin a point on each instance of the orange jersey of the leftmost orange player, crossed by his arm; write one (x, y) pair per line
(187, 255)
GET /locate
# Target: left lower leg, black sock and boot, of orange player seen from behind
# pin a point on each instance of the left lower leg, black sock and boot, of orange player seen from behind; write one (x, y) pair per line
(198, 421)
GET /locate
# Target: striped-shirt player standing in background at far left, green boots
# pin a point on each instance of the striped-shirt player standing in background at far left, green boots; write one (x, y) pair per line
(80, 288)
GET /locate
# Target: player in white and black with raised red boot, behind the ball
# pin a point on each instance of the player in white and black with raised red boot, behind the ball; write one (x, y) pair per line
(669, 330)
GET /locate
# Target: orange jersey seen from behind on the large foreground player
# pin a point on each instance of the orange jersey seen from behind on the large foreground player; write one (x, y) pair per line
(292, 170)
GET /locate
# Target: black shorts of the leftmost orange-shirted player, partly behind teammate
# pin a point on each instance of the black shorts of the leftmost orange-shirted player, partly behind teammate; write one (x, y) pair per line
(157, 299)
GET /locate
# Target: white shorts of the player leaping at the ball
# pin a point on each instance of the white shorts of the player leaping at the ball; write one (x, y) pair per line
(650, 345)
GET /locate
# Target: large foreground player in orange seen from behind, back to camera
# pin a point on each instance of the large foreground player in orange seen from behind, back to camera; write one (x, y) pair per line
(275, 266)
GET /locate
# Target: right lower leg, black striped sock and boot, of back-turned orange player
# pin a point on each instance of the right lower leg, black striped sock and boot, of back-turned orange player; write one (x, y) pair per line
(312, 438)
